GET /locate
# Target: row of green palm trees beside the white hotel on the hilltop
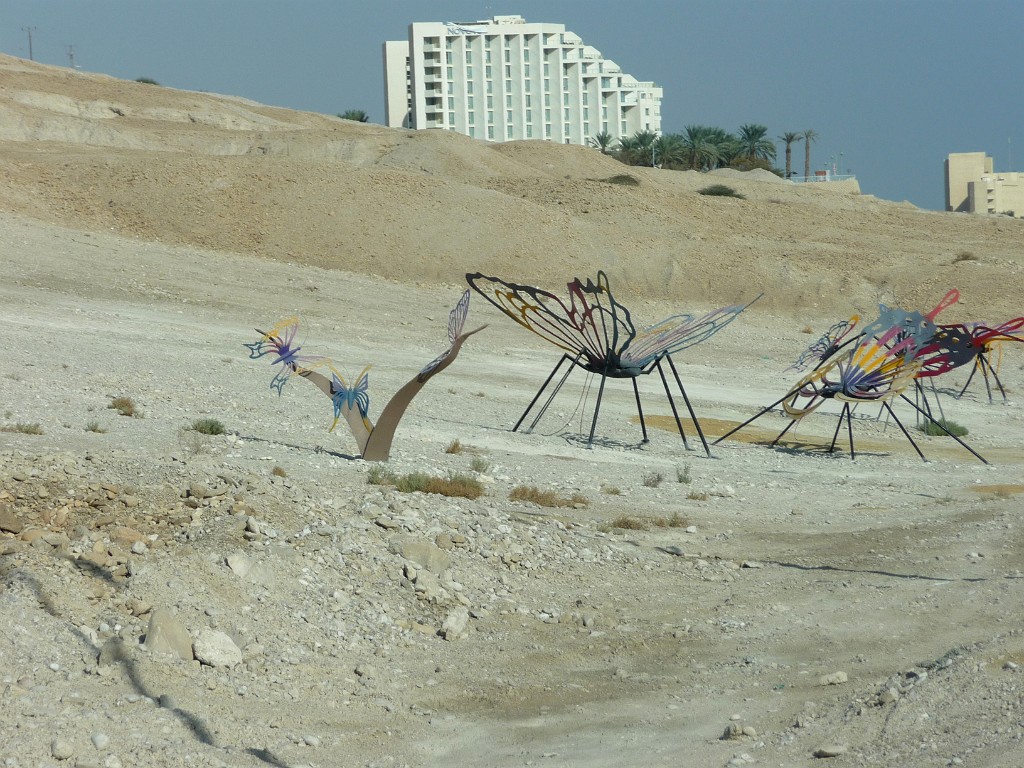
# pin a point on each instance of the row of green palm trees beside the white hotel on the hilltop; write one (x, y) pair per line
(702, 148)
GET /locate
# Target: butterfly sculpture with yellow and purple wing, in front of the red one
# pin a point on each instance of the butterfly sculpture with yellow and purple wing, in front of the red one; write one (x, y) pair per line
(879, 366)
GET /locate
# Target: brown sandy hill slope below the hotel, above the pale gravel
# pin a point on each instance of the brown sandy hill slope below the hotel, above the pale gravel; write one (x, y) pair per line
(182, 167)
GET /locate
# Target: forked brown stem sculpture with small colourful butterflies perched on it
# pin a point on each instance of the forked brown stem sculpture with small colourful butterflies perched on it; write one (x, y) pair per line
(353, 402)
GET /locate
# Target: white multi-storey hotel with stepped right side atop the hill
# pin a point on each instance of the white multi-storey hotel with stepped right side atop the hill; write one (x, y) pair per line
(504, 79)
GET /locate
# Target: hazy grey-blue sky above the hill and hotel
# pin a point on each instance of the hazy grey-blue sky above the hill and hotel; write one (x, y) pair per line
(891, 88)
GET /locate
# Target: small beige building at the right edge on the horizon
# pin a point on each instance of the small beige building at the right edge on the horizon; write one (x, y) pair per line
(972, 187)
